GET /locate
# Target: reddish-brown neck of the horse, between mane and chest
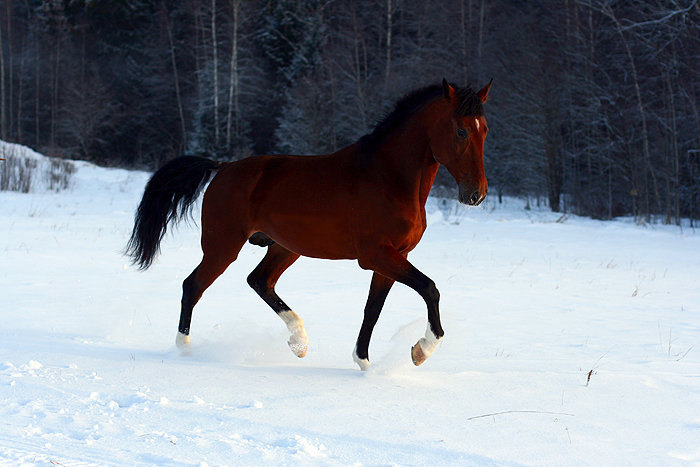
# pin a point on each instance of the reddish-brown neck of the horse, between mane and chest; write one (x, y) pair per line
(406, 158)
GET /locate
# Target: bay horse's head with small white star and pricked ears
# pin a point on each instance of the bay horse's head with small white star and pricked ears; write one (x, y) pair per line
(457, 140)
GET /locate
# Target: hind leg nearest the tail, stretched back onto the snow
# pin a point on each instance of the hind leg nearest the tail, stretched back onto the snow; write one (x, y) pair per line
(219, 252)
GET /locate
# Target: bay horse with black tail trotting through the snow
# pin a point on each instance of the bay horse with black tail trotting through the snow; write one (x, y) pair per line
(365, 202)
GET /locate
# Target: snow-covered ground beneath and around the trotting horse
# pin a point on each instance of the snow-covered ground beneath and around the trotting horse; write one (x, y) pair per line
(567, 343)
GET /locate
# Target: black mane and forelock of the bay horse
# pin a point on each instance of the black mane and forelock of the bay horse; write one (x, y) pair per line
(469, 105)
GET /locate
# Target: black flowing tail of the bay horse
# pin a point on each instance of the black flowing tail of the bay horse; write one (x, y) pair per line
(169, 196)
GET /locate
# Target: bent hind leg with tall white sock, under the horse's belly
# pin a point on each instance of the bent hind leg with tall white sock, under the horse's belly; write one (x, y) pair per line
(263, 280)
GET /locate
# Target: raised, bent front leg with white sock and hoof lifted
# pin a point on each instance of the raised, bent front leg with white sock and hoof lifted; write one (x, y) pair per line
(392, 264)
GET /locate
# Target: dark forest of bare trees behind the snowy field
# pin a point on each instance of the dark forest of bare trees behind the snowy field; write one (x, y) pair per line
(594, 108)
